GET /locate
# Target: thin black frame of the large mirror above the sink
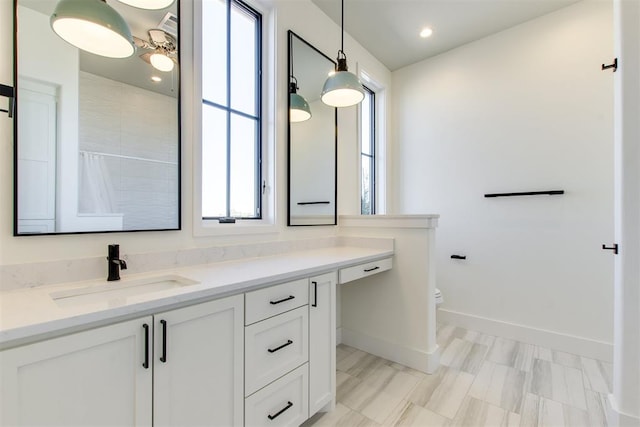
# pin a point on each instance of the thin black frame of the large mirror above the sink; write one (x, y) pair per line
(15, 141)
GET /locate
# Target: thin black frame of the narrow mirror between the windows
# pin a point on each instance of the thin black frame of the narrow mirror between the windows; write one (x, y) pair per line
(290, 35)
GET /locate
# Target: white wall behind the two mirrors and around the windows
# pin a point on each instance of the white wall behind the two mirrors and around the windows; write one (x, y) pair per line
(299, 15)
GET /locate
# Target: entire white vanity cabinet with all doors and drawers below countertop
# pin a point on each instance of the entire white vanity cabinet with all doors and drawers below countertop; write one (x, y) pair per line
(262, 357)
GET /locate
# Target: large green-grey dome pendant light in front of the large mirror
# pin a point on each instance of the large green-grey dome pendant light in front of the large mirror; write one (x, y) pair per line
(93, 26)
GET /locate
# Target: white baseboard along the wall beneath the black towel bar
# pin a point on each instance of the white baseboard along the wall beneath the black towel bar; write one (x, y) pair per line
(555, 340)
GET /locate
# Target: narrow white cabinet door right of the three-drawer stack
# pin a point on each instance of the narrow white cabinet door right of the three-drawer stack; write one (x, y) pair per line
(322, 342)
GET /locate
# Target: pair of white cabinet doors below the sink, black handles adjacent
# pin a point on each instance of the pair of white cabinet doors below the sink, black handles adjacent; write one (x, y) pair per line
(178, 368)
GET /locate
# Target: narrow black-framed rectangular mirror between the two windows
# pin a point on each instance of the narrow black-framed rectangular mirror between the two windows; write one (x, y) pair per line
(312, 140)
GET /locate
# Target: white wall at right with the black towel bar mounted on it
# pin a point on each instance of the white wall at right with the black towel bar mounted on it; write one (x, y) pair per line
(525, 109)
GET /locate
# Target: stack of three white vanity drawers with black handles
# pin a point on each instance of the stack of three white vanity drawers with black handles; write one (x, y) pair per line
(277, 355)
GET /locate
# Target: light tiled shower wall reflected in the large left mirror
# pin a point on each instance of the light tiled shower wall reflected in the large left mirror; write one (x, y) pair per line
(137, 130)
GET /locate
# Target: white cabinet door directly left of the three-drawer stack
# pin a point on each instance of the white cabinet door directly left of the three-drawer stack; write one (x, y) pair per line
(198, 365)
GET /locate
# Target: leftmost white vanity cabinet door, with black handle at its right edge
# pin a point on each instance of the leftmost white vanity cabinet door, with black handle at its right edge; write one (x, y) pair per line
(94, 377)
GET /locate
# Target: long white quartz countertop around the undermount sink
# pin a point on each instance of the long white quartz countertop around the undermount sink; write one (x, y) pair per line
(29, 315)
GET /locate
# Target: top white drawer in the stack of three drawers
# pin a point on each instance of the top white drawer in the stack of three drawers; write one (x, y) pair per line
(274, 300)
